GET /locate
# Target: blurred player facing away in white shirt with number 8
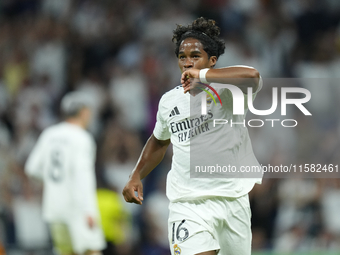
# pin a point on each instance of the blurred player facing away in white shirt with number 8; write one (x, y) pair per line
(64, 158)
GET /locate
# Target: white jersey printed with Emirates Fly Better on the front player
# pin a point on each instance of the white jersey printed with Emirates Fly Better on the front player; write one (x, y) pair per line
(197, 142)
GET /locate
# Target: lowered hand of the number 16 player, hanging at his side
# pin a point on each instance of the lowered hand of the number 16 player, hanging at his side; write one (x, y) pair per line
(134, 184)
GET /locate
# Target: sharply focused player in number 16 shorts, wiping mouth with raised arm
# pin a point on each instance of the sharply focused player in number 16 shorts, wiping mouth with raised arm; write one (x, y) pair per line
(208, 216)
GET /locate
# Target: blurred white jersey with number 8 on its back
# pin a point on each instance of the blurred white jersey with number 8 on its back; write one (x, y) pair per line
(64, 159)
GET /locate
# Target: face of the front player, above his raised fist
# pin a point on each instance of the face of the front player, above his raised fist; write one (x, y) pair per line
(192, 55)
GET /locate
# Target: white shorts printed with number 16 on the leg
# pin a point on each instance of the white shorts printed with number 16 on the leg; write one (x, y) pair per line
(221, 224)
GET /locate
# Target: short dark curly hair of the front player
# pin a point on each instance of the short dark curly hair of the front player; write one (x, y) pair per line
(204, 30)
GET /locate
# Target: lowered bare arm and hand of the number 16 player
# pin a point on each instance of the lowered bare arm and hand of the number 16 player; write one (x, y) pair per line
(152, 154)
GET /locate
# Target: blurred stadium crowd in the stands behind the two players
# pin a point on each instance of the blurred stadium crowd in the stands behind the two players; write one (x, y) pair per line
(120, 52)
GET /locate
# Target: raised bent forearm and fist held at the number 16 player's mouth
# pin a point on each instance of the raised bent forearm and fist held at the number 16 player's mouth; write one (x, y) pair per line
(240, 76)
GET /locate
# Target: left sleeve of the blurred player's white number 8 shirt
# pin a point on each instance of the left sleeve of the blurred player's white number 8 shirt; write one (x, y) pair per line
(34, 162)
